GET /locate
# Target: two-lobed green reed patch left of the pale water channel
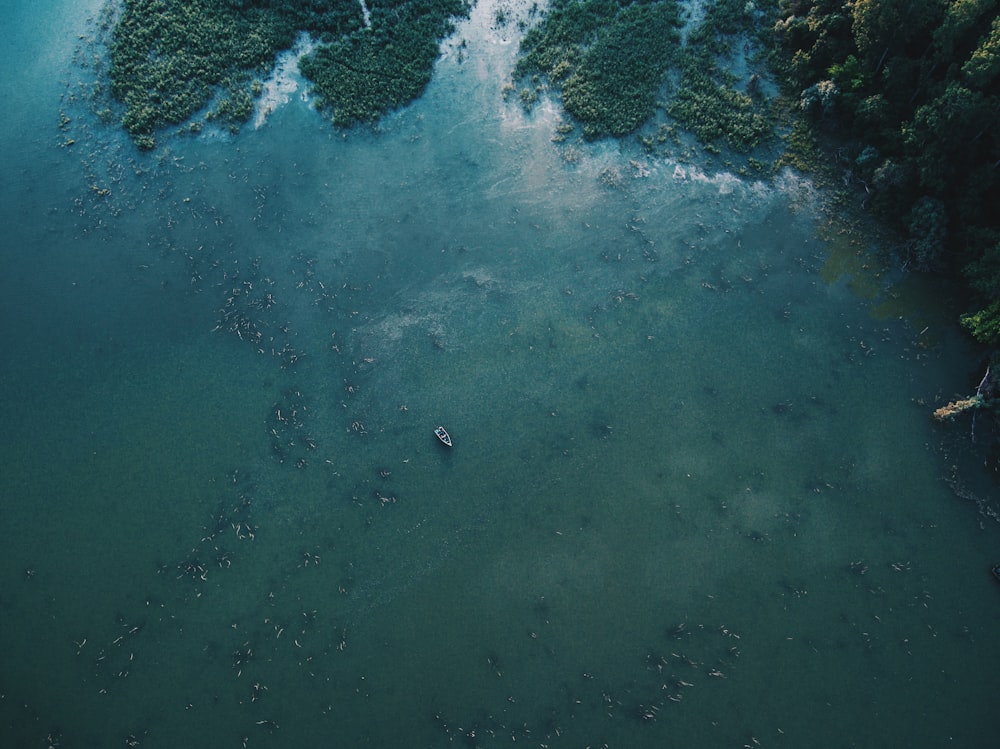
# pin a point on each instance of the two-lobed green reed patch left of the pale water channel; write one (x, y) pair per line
(173, 59)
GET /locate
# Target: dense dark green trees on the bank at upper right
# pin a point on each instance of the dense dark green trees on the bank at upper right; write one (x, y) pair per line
(912, 89)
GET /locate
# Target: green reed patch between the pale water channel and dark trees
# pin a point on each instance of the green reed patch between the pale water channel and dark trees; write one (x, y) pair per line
(615, 62)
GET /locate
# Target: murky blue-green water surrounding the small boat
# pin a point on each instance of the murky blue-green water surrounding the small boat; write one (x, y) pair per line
(695, 497)
